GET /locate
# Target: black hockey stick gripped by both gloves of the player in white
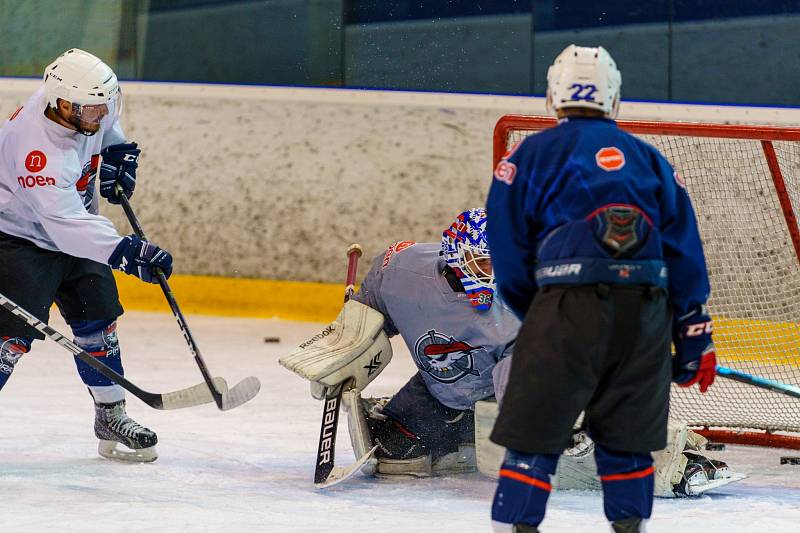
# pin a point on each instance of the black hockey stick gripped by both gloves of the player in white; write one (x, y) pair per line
(243, 391)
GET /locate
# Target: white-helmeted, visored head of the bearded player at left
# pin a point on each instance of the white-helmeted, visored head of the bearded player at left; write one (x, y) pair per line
(89, 84)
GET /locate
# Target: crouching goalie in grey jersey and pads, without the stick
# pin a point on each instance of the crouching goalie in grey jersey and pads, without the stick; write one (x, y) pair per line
(440, 298)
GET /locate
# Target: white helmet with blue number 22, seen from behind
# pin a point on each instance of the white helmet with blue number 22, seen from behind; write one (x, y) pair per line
(584, 77)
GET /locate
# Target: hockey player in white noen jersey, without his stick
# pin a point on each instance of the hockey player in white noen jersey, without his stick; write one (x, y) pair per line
(54, 247)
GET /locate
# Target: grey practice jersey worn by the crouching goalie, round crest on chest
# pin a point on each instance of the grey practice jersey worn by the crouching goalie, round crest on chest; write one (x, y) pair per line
(455, 346)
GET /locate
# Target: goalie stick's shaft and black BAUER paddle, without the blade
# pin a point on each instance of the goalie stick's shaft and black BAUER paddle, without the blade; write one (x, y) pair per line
(333, 397)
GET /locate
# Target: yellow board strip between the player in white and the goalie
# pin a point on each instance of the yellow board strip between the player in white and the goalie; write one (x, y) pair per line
(257, 298)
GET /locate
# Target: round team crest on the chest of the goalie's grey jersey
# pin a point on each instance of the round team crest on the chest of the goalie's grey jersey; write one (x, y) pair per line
(446, 359)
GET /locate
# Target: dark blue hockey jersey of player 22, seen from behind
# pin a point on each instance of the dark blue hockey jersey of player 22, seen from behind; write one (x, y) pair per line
(585, 202)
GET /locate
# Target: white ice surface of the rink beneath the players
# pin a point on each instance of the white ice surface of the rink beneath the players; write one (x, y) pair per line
(251, 469)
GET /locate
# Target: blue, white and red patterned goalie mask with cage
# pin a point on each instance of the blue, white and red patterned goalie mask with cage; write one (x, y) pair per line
(466, 251)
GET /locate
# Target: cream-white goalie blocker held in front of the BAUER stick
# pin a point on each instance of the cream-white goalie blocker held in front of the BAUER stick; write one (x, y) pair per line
(353, 347)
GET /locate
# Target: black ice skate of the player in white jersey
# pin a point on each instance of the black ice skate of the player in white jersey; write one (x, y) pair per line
(113, 426)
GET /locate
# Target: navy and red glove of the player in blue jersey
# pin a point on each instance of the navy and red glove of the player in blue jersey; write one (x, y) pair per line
(695, 358)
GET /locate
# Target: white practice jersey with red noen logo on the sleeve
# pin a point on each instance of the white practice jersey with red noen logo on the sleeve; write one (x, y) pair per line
(47, 183)
